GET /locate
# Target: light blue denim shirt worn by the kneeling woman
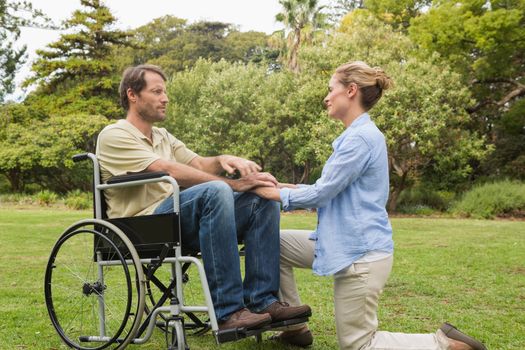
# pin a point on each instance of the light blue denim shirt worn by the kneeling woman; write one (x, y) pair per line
(350, 198)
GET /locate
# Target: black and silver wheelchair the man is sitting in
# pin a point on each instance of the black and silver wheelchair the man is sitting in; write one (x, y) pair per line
(101, 273)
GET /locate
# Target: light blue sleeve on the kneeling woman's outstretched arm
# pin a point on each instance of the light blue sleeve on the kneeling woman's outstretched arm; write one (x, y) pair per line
(345, 165)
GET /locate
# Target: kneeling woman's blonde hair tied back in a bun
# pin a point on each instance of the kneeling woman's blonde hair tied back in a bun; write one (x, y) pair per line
(371, 81)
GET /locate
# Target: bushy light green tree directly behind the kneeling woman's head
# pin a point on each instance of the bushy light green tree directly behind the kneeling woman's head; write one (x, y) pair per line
(424, 117)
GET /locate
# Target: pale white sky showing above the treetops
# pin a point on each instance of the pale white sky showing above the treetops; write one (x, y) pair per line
(256, 15)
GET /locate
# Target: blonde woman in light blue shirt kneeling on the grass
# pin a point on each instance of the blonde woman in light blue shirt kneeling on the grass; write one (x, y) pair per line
(353, 239)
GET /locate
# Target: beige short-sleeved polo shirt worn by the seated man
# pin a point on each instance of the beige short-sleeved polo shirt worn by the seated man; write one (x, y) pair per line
(122, 149)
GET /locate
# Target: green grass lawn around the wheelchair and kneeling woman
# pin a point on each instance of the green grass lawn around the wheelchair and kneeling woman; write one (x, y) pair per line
(468, 272)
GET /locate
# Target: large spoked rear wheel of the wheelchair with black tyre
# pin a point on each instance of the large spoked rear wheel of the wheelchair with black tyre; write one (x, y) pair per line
(94, 286)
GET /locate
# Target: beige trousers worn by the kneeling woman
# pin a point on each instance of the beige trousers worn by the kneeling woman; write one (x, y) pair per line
(356, 294)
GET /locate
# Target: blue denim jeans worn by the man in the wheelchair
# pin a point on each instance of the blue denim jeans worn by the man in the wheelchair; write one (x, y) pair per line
(213, 220)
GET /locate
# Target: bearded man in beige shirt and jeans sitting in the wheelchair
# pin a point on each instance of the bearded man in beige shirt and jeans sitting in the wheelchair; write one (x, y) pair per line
(215, 212)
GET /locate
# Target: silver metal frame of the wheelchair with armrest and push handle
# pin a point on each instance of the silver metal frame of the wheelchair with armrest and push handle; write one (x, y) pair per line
(177, 306)
